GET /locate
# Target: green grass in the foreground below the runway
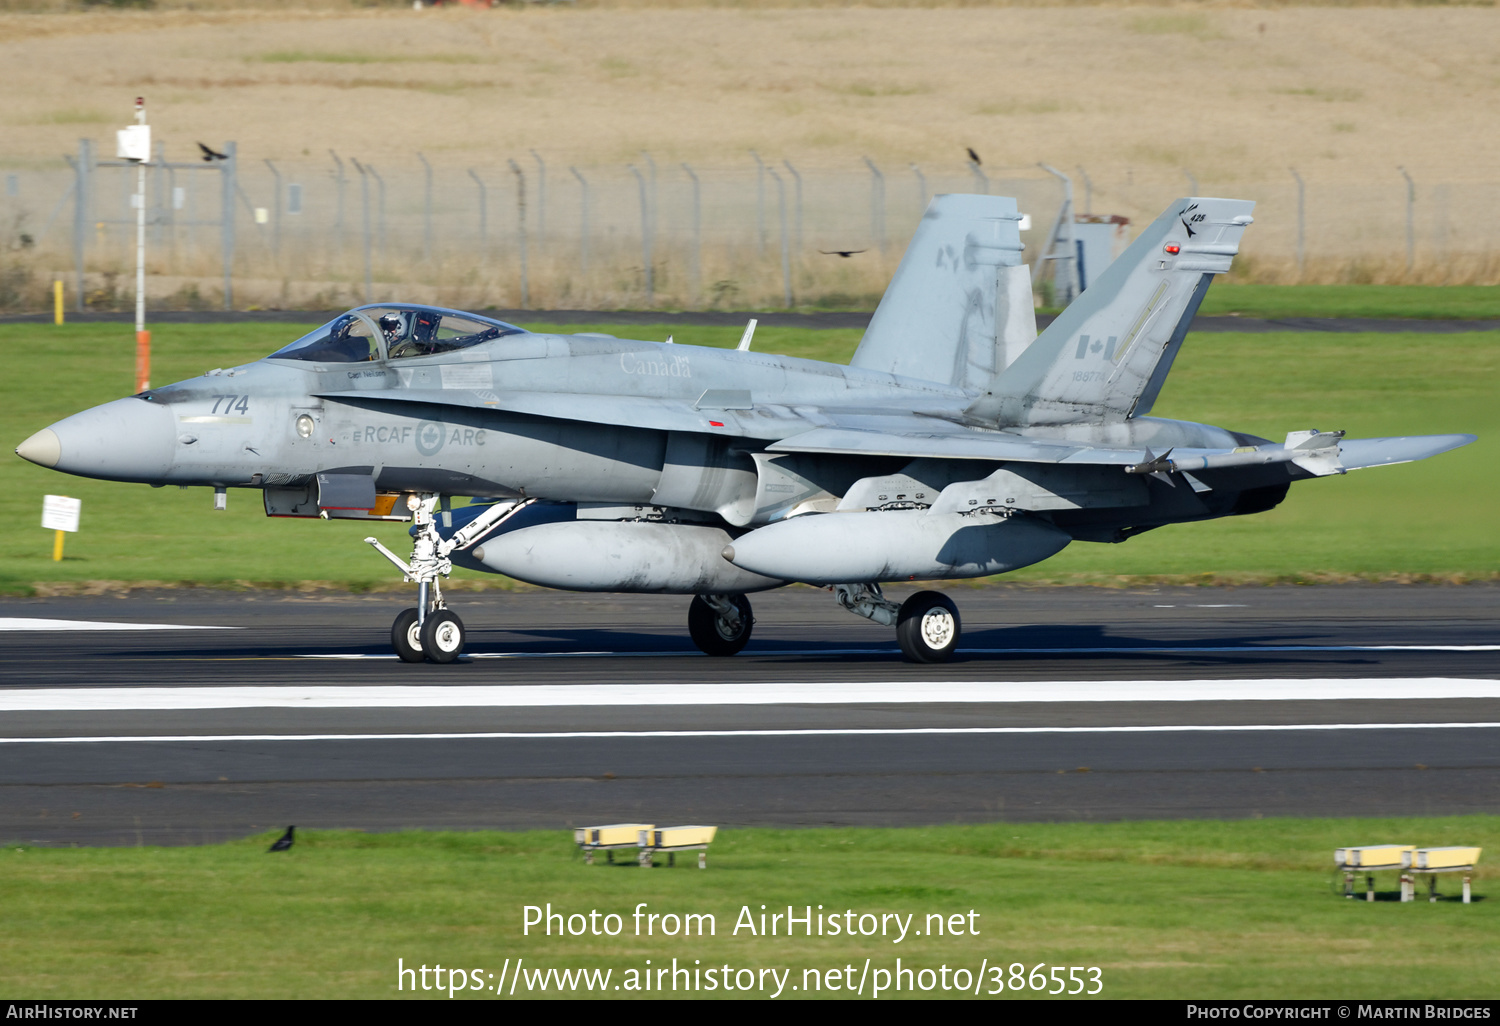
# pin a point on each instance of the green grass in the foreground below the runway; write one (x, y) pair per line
(1165, 910)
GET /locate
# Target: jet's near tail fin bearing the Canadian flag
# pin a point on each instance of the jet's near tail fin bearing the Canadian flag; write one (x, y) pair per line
(1108, 355)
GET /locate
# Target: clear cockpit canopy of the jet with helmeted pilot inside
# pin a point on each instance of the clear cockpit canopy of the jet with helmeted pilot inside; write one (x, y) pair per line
(394, 332)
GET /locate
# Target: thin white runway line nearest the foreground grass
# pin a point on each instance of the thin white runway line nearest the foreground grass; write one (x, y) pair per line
(811, 733)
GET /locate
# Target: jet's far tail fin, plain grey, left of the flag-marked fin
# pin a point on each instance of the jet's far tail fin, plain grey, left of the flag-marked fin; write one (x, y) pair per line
(952, 313)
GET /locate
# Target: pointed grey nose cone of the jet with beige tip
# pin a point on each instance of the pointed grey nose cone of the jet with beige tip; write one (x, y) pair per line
(127, 440)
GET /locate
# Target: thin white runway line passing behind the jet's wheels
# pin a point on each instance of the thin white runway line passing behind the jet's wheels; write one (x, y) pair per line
(1114, 650)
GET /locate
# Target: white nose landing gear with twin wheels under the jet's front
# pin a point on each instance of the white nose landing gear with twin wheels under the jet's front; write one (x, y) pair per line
(431, 631)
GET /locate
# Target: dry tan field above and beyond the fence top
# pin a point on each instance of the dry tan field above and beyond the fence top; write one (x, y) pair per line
(1232, 94)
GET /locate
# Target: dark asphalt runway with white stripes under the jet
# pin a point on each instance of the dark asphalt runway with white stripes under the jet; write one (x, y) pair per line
(1064, 704)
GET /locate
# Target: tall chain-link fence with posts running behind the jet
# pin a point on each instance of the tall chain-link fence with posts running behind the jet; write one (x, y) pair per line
(748, 233)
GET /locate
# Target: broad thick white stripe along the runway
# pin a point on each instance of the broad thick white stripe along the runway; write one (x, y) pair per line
(418, 697)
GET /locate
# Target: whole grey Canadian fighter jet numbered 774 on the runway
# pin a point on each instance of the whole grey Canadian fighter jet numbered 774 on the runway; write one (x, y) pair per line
(956, 445)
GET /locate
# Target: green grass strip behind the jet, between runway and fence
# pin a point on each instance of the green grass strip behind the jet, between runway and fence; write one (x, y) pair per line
(1429, 518)
